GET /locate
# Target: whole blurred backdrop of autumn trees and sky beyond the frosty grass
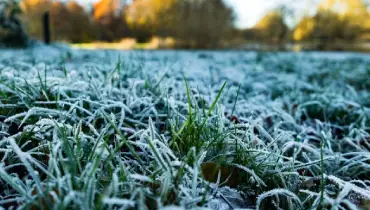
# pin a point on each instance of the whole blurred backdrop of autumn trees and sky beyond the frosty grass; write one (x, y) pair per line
(191, 24)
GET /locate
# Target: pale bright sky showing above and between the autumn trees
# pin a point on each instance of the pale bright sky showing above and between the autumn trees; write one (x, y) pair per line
(248, 12)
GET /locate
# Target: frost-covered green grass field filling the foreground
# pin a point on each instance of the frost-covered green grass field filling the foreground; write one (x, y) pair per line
(84, 129)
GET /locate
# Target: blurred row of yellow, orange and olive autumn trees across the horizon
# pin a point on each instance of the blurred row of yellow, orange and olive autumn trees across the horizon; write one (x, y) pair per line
(193, 24)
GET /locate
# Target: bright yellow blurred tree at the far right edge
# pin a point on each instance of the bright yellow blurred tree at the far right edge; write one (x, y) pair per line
(335, 19)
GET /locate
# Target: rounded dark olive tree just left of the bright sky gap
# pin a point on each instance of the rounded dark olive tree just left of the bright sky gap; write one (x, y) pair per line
(201, 24)
